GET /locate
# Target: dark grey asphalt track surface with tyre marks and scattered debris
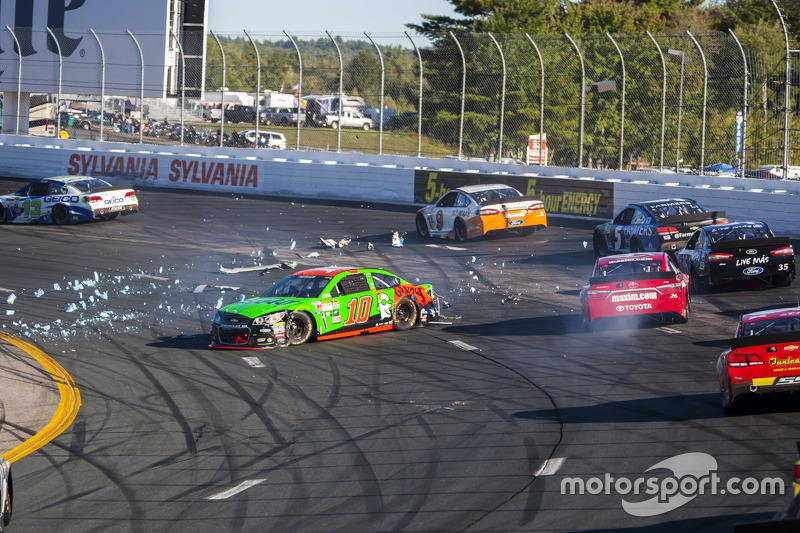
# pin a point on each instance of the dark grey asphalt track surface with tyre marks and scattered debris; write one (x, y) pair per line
(397, 431)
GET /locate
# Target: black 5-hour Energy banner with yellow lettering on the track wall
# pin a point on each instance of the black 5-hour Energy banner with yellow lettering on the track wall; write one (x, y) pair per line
(561, 196)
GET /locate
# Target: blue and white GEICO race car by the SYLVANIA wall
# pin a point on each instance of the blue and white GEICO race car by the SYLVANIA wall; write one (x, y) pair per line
(66, 200)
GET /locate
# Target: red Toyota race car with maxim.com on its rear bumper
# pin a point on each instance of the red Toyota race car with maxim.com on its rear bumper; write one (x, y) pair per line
(646, 283)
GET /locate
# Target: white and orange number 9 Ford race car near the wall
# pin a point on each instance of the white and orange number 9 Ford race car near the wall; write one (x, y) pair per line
(471, 211)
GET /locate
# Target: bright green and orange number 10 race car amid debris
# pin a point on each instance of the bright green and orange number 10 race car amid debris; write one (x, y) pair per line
(325, 303)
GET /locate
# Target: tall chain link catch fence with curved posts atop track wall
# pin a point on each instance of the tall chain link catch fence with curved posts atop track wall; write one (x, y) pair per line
(672, 101)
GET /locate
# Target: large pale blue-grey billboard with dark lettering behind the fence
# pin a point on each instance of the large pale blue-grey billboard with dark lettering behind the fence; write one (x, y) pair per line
(106, 62)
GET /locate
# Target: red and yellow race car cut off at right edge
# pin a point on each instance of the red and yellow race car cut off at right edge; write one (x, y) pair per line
(764, 356)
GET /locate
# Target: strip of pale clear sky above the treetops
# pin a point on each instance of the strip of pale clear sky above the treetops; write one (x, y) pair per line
(337, 16)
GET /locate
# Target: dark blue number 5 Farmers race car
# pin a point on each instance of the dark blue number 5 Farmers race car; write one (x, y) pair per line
(655, 226)
